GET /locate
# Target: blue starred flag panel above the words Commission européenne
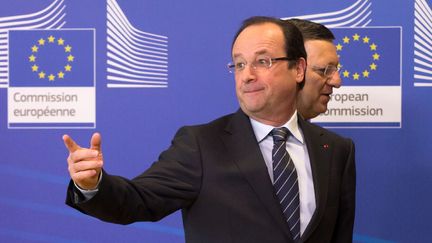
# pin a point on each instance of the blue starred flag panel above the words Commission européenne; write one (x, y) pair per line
(51, 58)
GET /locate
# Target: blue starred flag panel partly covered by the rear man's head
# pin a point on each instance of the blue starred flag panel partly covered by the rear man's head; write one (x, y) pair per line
(369, 55)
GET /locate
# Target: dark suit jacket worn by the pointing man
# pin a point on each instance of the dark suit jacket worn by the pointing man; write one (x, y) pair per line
(216, 174)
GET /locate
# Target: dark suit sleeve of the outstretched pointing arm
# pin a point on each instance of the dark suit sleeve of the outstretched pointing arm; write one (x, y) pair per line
(171, 183)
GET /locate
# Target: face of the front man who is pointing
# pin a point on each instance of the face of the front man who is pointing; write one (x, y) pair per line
(265, 94)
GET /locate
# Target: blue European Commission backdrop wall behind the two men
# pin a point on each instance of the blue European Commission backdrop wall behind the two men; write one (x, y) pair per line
(151, 66)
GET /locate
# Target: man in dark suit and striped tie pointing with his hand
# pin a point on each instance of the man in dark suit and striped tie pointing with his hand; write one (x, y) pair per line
(221, 174)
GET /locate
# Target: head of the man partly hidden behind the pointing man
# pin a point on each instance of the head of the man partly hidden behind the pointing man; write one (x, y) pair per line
(322, 73)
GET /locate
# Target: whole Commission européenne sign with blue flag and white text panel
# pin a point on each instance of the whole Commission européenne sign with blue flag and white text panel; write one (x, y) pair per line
(51, 78)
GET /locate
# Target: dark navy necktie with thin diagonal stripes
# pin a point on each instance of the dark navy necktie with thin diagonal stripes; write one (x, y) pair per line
(285, 181)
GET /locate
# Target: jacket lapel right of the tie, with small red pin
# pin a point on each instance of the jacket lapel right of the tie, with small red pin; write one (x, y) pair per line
(320, 150)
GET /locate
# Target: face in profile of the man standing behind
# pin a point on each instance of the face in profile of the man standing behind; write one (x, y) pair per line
(315, 95)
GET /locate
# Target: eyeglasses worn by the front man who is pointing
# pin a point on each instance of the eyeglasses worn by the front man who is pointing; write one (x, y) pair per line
(260, 63)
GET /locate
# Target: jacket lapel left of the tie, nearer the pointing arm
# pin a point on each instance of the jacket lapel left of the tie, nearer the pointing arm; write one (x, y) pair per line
(241, 143)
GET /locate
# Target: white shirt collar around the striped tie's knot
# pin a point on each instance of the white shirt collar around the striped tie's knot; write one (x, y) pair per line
(261, 130)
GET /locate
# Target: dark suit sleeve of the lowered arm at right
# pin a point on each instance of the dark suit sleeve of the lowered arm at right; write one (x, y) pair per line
(345, 223)
